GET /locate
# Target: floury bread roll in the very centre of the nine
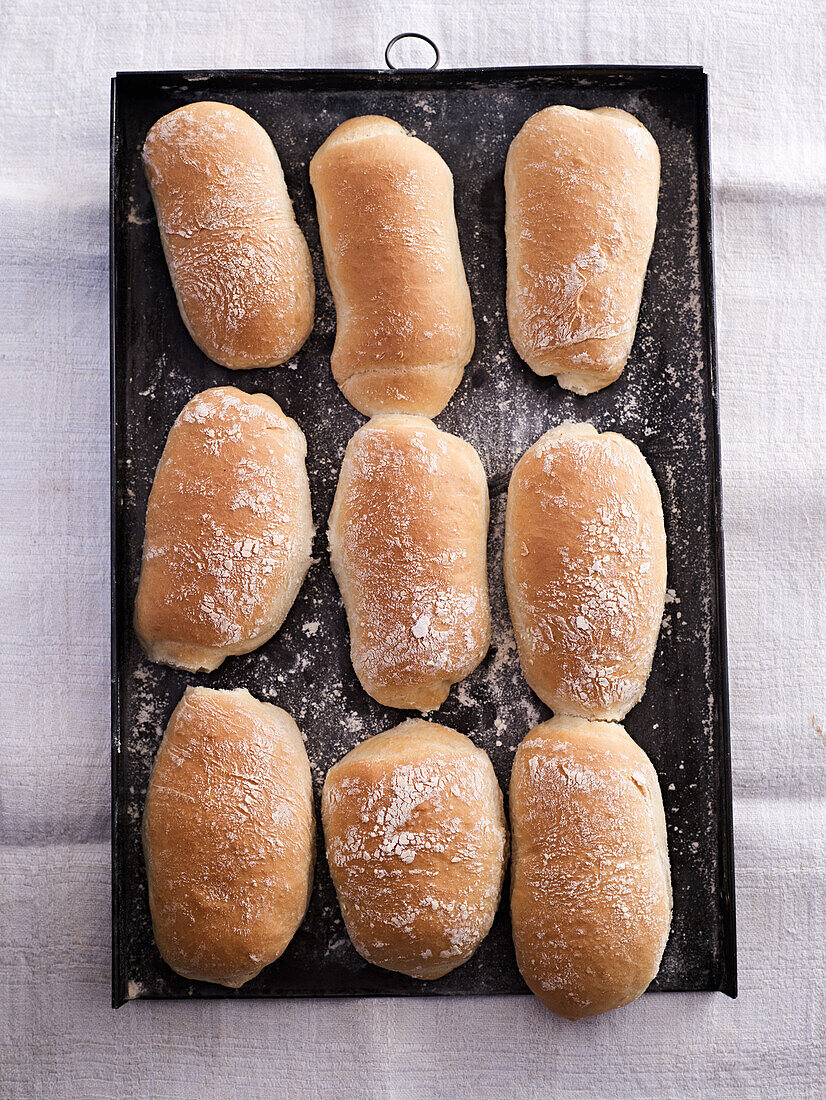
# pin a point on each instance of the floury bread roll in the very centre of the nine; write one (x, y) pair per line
(409, 543)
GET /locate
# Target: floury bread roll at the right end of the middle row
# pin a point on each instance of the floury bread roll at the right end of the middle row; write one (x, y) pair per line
(586, 570)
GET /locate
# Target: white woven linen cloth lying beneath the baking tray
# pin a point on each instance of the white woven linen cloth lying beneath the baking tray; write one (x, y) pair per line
(59, 1037)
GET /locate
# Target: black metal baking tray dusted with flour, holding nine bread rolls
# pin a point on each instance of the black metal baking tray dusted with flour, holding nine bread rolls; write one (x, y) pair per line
(666, 401)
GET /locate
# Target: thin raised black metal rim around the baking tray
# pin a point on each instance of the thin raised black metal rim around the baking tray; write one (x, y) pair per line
(693, 75)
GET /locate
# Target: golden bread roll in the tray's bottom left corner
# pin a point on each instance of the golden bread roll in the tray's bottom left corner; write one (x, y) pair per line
(228, 837)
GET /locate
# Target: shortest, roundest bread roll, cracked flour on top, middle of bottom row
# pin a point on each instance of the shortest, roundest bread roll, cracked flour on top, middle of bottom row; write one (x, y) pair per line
(417, 846)
